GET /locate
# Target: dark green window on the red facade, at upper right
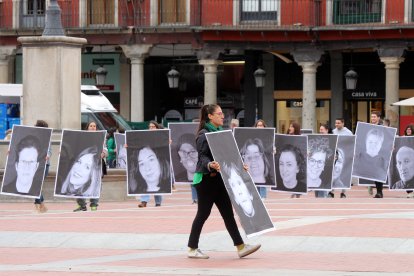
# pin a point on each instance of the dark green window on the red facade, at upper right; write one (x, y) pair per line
(357, 11)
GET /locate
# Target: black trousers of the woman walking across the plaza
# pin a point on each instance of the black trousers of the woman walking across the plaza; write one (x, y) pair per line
(211, 191)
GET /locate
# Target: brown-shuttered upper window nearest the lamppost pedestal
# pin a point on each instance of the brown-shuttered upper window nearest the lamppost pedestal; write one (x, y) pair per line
(101, 12)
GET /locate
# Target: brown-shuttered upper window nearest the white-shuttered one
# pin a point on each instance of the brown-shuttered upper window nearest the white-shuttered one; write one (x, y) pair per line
(173, 11)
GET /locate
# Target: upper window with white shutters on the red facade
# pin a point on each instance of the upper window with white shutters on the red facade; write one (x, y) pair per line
(258, 10)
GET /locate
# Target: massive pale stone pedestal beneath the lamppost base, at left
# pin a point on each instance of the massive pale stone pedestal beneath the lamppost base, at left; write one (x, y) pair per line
(52, 80)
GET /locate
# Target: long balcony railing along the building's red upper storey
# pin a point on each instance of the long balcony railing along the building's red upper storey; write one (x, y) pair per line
(210, 14)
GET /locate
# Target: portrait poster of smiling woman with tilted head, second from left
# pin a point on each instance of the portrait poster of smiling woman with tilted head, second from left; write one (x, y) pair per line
(79, 172)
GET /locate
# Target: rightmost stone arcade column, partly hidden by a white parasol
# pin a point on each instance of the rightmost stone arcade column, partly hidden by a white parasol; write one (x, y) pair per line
(392, 88)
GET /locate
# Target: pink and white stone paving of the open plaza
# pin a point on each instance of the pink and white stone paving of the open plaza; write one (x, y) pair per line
(358, 235)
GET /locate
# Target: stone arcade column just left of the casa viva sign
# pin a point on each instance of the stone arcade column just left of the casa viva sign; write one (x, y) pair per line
(309, 61)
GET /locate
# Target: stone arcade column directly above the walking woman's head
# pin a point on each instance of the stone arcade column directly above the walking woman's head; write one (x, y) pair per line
(210, 80)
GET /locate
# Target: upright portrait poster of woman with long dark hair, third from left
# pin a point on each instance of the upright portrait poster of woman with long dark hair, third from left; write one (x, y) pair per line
(149, 162)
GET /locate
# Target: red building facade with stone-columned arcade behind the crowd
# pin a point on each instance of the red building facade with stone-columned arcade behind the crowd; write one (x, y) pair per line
(305, 46)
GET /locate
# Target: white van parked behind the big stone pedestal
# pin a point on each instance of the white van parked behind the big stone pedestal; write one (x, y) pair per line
(94, 106)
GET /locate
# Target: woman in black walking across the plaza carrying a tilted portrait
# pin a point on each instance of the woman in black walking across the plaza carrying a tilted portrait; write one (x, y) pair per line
(210, 188)
